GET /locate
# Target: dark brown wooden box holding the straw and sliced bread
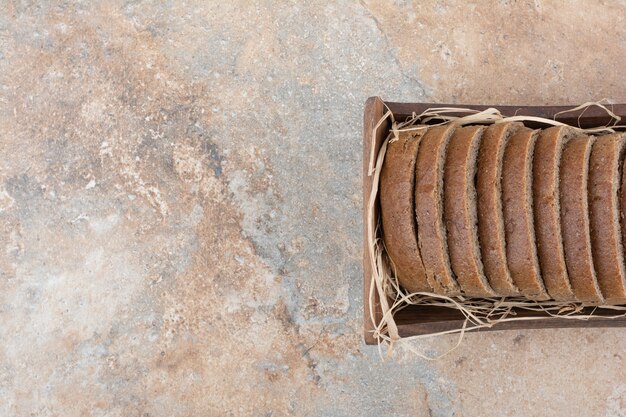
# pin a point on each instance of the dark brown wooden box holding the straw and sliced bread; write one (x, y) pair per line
(415, 320)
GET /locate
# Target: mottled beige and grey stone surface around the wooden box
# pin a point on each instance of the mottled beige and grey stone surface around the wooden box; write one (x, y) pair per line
(180, 204)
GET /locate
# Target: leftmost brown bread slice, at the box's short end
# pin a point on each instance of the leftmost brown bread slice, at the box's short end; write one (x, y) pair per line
(397, 204)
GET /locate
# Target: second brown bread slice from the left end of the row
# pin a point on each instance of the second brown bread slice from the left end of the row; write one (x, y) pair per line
(431, 229)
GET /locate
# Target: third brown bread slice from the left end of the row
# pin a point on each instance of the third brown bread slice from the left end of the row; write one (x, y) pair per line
(460, 212)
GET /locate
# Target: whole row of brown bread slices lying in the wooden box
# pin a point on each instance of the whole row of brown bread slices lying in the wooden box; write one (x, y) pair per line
(507, 211)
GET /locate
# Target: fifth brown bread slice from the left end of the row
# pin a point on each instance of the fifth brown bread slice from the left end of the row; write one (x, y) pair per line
(517, 202)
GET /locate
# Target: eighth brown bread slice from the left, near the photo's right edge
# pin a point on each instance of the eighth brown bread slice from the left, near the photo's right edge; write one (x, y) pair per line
(605, 166)
